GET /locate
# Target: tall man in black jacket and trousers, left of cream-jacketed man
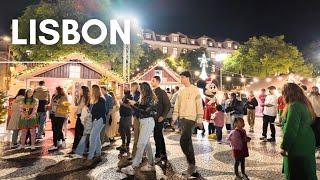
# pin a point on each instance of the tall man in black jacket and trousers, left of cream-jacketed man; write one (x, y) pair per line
(163, 107)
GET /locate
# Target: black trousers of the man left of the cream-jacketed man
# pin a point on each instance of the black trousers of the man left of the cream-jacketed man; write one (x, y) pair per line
(159, 140)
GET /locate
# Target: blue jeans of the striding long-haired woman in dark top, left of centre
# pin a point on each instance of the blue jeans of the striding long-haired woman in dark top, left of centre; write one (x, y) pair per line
(94, 140)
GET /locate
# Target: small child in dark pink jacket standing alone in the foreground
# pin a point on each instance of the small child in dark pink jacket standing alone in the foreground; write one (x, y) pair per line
(238, 139)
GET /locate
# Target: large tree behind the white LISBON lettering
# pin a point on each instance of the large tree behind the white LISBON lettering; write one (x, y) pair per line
(81, 11)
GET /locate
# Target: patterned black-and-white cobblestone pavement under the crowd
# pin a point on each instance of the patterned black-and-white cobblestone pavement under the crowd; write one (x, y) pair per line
(214, 161)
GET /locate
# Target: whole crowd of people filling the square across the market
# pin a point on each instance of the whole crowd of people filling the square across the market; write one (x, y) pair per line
(146, 109)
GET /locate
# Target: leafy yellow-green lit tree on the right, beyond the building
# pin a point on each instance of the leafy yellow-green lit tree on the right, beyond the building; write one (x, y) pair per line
(265, 56)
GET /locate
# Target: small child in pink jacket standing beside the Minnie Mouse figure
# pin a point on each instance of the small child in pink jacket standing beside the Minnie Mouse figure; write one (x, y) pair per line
(218, 120)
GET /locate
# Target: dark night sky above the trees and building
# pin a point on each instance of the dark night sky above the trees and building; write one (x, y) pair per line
(299, 21)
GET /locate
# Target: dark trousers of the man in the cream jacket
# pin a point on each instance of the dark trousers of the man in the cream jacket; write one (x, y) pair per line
(186, 140)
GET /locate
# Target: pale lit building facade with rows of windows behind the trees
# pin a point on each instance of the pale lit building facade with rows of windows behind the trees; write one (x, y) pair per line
(176, 43)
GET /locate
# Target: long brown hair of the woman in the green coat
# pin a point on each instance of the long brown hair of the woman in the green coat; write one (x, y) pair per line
(293, 93)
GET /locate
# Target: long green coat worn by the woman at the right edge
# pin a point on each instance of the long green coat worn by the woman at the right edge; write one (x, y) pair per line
(299, 142)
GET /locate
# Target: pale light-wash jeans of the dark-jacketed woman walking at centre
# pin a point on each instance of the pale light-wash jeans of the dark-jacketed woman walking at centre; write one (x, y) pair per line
(146, 127)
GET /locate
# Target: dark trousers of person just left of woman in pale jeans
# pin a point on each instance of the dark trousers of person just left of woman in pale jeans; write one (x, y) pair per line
(125, 132)
